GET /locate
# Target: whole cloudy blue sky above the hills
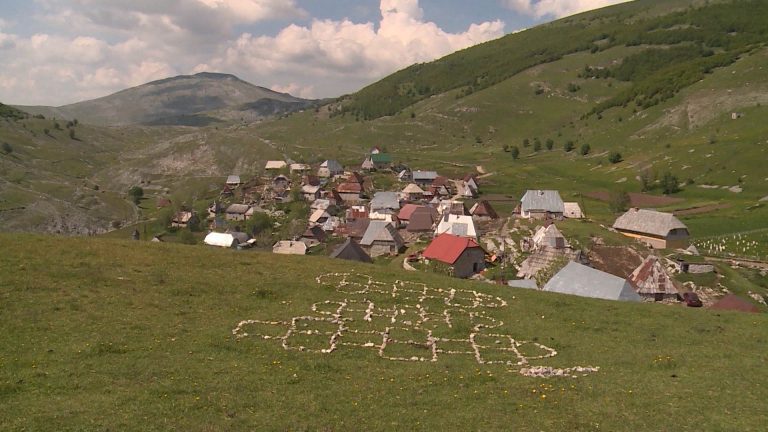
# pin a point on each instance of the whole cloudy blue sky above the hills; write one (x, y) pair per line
(56, 52)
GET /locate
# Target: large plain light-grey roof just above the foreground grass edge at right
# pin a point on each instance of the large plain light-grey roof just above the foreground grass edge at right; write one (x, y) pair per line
(580, 280)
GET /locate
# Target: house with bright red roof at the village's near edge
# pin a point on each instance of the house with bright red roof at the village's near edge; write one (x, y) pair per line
(463, 254)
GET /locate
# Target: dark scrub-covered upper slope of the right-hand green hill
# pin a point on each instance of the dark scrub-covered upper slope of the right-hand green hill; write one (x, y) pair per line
(720, 31)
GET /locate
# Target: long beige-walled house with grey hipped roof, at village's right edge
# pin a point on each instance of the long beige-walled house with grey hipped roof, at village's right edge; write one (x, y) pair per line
(657, 229)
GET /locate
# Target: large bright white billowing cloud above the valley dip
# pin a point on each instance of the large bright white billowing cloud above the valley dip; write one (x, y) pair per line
(342, 56)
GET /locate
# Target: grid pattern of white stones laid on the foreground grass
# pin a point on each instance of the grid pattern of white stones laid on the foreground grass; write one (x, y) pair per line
(399, 322)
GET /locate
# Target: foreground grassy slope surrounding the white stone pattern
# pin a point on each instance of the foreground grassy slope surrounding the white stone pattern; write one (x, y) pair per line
(101, 334)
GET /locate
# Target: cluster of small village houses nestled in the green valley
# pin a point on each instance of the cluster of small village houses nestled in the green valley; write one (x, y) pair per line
(423, 221)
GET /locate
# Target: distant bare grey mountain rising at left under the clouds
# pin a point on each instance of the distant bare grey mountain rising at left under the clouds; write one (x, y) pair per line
(192, 100)
